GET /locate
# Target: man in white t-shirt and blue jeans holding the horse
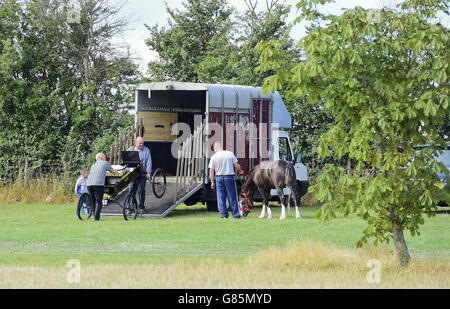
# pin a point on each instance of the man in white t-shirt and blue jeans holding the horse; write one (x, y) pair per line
(221, 165)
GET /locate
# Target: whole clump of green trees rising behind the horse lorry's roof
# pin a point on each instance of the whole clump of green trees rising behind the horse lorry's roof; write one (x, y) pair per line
(209, 42)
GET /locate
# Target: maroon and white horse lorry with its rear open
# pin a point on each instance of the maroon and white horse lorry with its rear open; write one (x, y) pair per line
(247, 122)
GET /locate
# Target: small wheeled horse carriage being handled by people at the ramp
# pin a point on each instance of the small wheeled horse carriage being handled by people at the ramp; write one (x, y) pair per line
(128, 171)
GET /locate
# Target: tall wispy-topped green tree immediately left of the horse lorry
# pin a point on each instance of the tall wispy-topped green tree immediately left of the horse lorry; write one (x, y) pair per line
(94, 77)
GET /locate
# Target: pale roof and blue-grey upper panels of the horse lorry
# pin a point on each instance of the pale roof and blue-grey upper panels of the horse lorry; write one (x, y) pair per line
(228, 96)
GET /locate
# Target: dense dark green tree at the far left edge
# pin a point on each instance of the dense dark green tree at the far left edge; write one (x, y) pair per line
(28, 119)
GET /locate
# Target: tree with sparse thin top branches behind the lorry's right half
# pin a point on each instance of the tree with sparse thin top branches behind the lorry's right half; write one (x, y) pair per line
(234, 61)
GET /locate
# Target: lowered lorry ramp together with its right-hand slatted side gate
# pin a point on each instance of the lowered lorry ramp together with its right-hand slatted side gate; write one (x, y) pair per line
(189, 179)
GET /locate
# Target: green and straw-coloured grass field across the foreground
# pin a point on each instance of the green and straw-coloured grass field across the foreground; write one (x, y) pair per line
(196, 249)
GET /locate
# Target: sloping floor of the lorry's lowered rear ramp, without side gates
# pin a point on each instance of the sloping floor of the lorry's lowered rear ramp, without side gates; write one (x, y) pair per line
(154, 207)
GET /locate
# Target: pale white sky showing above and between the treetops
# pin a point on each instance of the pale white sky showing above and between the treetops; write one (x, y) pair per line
(152, 12)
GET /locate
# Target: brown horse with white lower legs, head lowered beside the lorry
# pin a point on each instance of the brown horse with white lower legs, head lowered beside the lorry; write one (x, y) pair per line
(264, 177)
